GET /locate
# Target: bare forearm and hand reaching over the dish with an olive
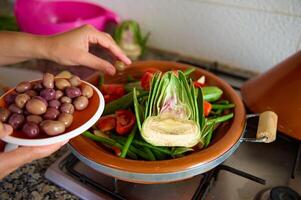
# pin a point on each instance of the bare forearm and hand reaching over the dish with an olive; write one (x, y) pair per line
(69, 48)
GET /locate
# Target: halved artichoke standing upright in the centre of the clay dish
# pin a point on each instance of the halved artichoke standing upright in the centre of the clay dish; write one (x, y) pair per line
(172, 116)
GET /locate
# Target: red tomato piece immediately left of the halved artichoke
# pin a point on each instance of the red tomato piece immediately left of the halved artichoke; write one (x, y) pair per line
(125, 121)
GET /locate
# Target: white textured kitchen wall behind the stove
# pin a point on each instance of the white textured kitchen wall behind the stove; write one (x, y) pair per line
(251, 34)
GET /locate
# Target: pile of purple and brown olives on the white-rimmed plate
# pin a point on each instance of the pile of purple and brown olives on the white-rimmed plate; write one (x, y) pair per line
(46, 106)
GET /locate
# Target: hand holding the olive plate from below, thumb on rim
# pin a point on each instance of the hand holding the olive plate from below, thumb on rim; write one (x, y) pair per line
(10, 161)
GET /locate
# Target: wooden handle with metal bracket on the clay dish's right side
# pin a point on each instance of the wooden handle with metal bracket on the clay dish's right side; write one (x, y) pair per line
(267, 127)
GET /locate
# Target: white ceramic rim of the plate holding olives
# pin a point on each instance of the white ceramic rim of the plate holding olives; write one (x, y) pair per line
(65, 136)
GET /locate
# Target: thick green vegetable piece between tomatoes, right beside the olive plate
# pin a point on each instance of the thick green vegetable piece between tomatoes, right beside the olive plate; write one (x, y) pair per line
(122, 103)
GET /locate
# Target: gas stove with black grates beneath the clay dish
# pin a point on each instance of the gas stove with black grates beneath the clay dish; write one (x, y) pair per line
(254, 171)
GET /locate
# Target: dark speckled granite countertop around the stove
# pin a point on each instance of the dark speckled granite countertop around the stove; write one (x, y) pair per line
(28, 181)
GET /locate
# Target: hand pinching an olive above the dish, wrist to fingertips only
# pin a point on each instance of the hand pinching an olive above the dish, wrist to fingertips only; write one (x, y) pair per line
(72, 48)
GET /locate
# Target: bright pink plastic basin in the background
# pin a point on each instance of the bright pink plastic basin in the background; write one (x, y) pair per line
(45, 17)
